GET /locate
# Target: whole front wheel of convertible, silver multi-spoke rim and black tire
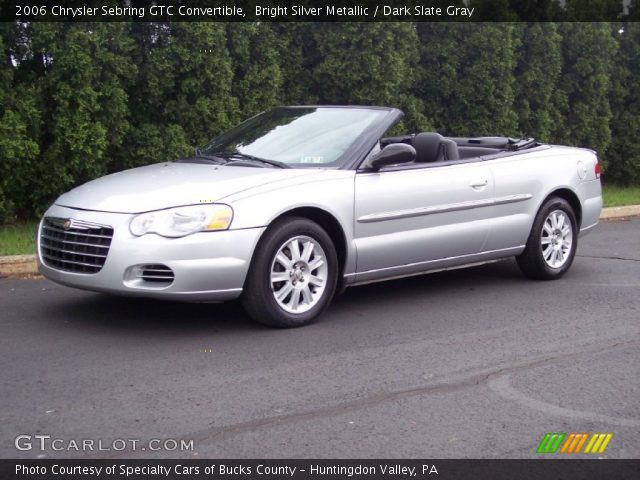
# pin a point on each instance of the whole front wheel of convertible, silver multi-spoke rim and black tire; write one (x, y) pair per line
(293, 274)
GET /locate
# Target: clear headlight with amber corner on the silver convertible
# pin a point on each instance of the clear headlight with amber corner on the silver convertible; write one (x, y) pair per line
(181, 221)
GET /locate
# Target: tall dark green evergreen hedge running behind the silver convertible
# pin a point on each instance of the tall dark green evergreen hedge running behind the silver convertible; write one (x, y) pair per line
(78, 100)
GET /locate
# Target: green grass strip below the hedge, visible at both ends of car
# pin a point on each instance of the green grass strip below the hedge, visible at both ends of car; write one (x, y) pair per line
(19, 238)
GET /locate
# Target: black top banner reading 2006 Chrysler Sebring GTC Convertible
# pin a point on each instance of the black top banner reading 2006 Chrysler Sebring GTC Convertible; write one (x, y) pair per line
(319, 11)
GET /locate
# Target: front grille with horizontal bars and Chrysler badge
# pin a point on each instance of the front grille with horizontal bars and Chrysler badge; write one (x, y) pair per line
(73, 245)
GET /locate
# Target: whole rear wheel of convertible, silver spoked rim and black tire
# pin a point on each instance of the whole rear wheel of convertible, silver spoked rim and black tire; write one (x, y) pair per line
(552, 243)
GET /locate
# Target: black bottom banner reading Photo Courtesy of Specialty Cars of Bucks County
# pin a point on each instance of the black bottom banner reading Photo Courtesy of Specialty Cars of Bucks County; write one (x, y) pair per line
(318, 469)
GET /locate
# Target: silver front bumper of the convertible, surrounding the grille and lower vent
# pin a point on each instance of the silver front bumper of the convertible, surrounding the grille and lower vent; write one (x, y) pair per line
(207, 266)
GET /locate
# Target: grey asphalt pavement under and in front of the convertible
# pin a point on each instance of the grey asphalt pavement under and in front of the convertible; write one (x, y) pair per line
(476, 363)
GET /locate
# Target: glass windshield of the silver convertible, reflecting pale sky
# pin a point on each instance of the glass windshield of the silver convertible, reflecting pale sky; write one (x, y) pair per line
(298, 136)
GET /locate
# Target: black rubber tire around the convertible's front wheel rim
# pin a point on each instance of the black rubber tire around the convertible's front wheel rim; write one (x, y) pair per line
(258, 297)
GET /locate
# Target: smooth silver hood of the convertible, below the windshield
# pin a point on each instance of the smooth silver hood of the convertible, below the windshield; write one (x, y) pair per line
(165, 185)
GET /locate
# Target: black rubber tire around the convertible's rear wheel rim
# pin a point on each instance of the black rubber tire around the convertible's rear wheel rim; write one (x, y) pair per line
(532, 261)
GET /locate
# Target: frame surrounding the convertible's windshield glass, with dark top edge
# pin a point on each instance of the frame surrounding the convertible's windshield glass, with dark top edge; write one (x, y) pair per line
(352, 156)
